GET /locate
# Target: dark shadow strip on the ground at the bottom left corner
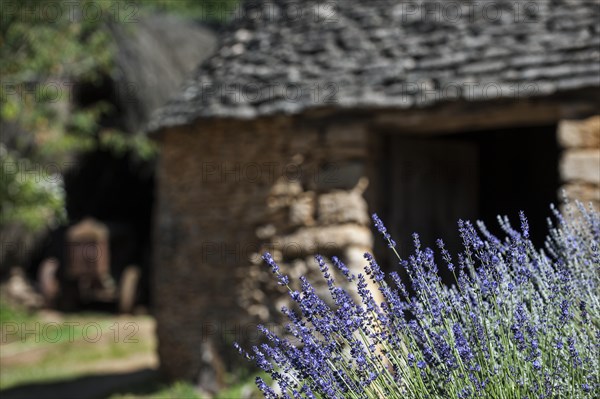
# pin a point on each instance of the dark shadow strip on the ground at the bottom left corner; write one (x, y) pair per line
(88, 387)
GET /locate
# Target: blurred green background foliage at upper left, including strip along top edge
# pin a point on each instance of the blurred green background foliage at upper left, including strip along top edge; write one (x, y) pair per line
(47, 50)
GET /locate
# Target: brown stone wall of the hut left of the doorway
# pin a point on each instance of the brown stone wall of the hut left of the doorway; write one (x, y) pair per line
(228, 191)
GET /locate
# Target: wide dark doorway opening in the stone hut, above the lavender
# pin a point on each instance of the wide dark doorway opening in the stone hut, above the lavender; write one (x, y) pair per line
(433, 181)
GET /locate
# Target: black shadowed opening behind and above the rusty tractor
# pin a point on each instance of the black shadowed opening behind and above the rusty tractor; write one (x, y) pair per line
(117, 190)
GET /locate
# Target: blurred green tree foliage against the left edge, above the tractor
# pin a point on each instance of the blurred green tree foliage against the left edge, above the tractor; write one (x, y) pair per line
(46, 49)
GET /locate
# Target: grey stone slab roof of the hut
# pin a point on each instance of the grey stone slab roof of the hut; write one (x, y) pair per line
(288, 56)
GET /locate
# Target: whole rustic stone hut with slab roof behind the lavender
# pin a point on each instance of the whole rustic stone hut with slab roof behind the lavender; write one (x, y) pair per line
(312, 114)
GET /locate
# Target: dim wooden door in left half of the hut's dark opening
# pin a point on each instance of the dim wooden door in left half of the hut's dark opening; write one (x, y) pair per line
(433, 182)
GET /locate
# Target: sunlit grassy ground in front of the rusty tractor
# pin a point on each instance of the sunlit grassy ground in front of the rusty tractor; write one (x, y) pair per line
(36, 350)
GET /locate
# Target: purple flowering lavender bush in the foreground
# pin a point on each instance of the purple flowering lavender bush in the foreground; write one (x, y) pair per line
(518, 322)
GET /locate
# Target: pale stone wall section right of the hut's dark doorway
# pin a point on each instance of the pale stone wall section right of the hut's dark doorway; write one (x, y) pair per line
(580, 162)
